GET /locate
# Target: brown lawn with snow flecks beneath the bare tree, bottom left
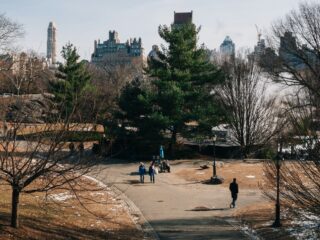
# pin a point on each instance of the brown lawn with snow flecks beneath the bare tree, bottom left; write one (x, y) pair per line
(62, 216)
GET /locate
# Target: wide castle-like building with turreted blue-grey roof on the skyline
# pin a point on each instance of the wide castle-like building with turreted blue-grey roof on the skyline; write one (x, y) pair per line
(113, 52)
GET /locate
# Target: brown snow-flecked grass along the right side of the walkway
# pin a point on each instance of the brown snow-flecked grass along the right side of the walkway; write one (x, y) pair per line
(257, 218)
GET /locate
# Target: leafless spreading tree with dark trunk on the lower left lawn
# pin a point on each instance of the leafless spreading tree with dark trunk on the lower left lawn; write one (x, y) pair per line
(32, 153)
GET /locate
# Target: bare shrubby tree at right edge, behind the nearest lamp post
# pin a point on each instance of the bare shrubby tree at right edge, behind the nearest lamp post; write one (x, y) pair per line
(300, 176)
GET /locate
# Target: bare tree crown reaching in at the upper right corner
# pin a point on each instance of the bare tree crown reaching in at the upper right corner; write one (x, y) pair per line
(297, 40)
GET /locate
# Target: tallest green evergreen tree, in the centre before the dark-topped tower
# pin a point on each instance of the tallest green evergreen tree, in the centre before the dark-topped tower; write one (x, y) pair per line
(182, 80)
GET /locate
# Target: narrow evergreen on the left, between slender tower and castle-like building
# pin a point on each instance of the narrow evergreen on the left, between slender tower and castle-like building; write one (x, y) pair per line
(72, 81)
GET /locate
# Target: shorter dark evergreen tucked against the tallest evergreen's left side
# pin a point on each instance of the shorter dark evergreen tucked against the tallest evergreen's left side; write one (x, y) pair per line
(137, 117)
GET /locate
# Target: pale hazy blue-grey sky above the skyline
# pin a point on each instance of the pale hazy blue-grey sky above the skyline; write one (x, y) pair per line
(82, 21)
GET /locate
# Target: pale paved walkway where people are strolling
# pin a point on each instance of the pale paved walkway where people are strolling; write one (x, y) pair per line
(177, 209)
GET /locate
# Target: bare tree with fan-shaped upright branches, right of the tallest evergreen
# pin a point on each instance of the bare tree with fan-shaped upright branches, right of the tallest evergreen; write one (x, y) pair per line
(251, 114)
